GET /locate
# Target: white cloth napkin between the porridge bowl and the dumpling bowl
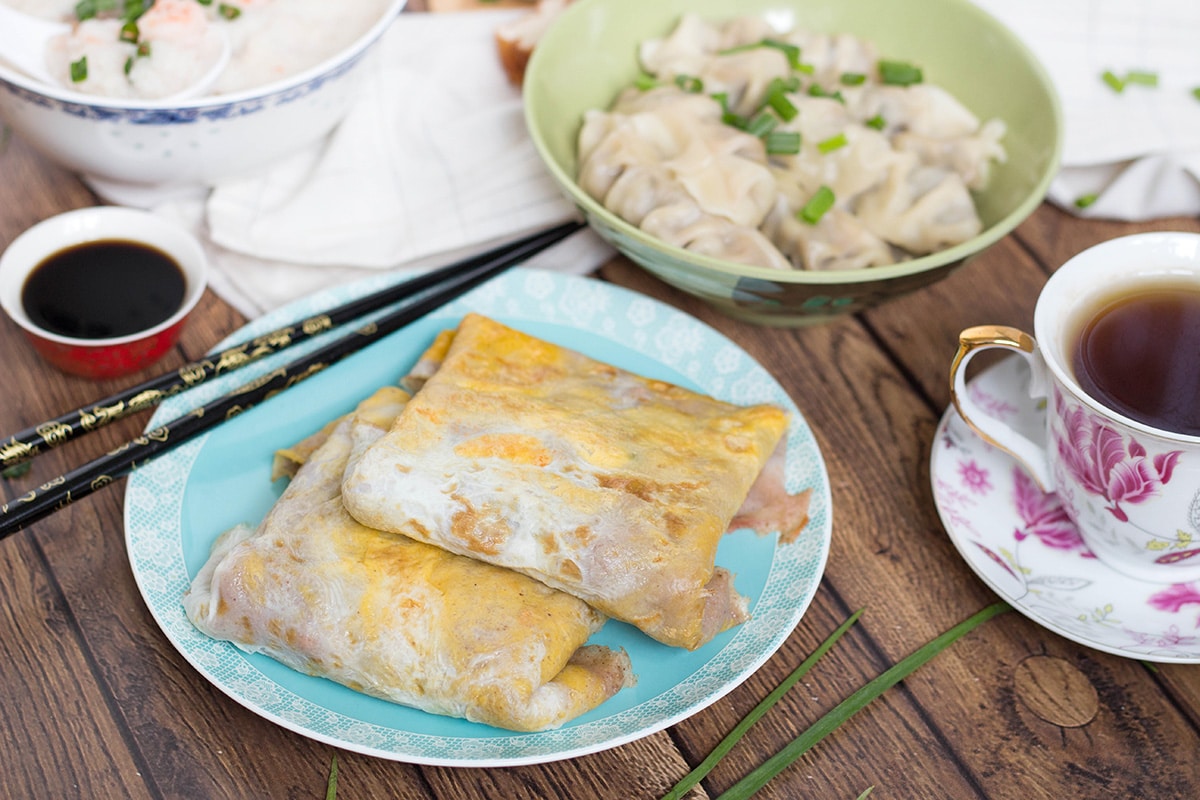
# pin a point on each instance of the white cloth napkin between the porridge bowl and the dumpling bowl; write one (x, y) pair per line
(433, 163)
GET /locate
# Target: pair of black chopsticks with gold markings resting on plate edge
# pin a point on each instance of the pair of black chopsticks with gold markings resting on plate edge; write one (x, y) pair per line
(441, 287)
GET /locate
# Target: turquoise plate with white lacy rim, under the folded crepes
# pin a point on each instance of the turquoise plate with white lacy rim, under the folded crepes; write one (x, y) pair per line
(177, 506)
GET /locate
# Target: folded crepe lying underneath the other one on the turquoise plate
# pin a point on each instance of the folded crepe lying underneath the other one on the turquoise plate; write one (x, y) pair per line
(395, 618)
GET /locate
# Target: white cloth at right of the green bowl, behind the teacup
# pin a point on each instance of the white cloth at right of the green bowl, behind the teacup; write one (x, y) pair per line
(1138, 151)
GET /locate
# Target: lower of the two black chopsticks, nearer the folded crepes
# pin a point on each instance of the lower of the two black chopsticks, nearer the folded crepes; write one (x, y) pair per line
(61, 492)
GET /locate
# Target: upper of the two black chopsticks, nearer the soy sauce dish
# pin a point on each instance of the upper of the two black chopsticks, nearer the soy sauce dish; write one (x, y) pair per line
(40, 438)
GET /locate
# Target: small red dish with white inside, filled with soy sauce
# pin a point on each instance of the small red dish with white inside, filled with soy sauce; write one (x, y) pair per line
(103, 292)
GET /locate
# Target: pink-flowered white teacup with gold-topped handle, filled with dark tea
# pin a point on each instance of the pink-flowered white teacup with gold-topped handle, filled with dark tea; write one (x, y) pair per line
(1126, 471)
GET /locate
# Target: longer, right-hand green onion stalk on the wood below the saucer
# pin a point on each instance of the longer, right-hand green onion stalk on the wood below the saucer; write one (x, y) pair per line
(856, 703)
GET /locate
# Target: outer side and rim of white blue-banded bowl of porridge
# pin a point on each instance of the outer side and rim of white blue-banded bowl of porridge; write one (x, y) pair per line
(135, 153)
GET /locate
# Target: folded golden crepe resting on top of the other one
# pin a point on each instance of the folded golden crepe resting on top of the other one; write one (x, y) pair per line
(613, 488)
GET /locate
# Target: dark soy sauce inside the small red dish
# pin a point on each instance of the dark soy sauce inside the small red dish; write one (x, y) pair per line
(104, 290)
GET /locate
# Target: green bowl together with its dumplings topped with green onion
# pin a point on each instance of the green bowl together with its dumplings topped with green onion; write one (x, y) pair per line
(791, 163)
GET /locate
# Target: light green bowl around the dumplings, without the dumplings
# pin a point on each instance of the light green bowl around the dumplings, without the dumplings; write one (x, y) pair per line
(590, 55)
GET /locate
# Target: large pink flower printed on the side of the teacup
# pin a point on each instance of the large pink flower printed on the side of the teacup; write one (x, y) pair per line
(1099, 459)
